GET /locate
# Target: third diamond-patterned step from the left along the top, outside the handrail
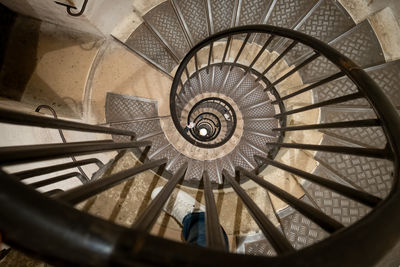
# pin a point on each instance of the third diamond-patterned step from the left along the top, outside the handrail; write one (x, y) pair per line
(193, 14)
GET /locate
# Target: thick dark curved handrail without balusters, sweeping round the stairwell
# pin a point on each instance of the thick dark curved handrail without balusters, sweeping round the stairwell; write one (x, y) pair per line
(108, 244)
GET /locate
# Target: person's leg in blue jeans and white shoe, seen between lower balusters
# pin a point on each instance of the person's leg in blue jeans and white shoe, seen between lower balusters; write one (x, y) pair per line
(190, 214)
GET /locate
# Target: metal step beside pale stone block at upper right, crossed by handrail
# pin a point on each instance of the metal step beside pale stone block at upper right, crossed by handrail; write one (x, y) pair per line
(359, 44)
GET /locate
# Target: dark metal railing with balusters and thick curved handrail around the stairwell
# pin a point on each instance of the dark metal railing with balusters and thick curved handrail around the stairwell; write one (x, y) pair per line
(30, 221)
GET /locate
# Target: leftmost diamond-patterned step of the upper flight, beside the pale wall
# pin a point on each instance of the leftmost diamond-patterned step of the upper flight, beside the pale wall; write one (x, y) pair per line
(147, 45)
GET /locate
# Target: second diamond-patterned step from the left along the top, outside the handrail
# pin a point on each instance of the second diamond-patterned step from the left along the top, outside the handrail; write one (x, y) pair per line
(163, 20)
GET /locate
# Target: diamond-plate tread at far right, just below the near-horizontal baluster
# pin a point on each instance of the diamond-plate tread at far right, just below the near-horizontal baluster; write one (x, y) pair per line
(369, 174)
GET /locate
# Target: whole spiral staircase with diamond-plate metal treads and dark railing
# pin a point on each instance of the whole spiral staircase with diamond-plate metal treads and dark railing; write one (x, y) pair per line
(295, 117)
